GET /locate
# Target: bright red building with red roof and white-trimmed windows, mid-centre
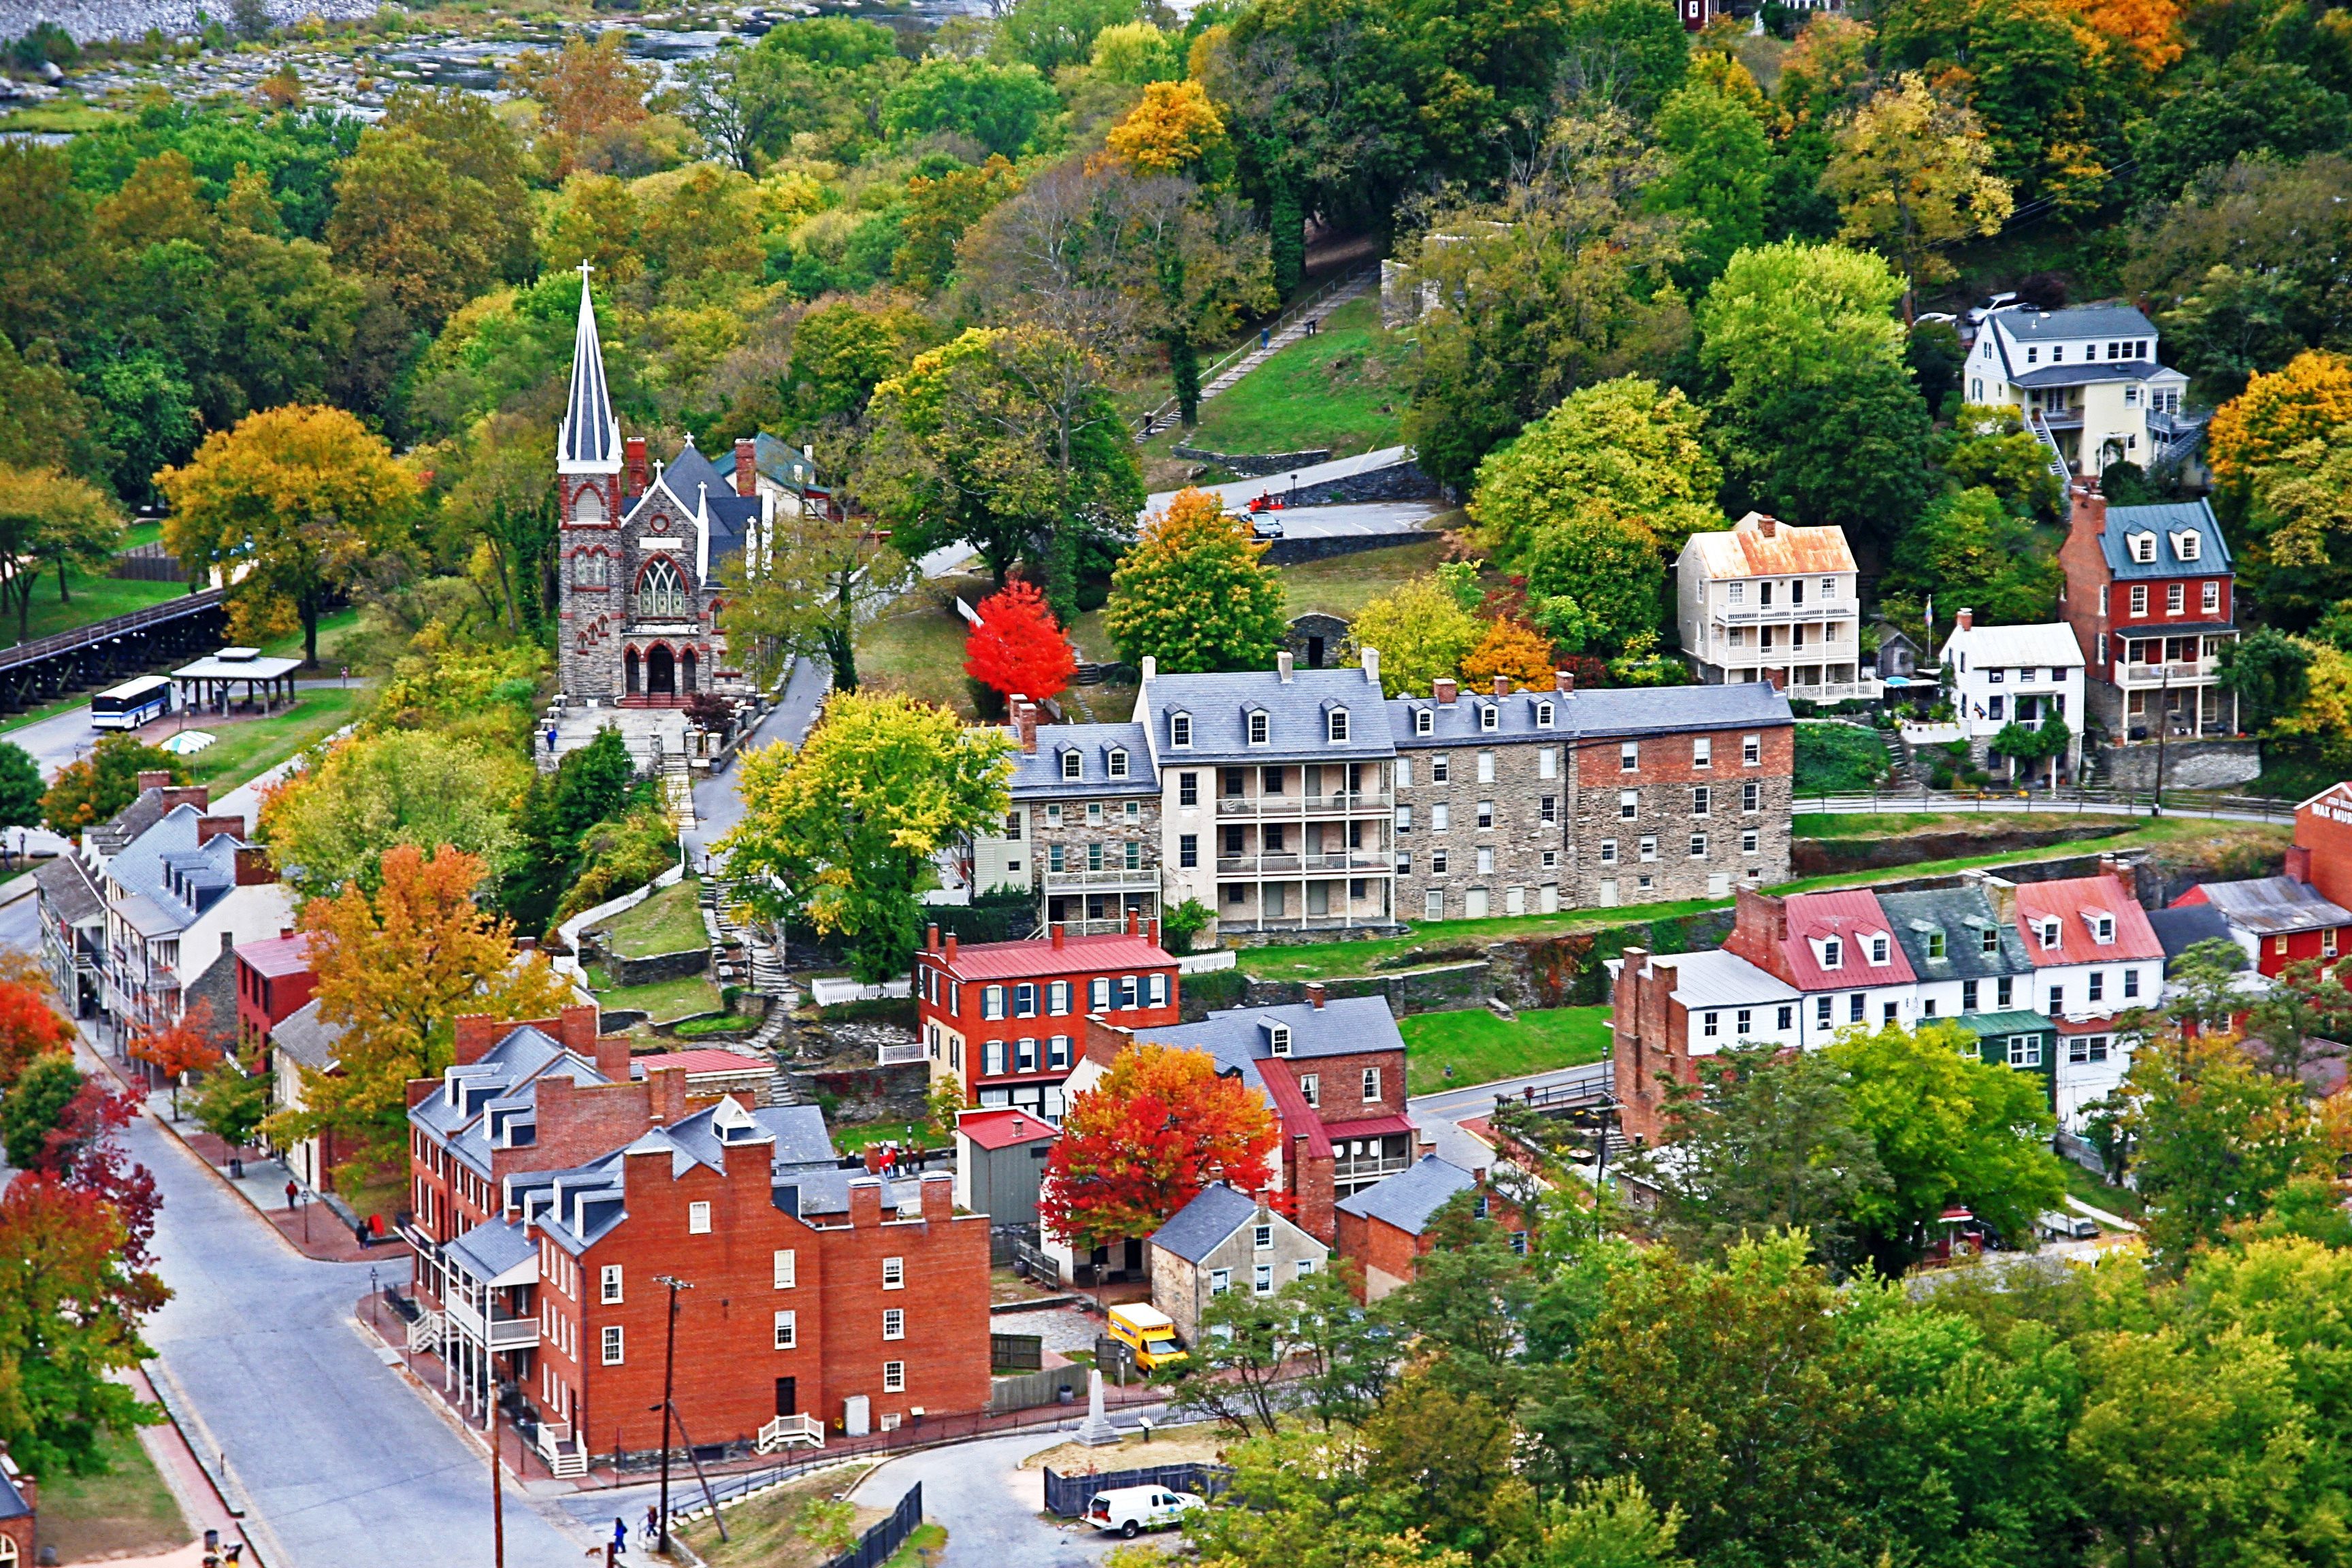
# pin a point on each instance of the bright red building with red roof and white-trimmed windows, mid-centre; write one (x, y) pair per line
(1005, 1021)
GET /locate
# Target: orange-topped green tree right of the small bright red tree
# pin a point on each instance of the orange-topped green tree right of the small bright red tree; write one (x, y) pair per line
(1196, 591)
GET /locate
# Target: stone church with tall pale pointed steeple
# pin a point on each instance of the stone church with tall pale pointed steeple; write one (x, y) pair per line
(643, 551)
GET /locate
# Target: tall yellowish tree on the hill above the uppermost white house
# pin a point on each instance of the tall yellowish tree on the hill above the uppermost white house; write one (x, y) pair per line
(1911, 177)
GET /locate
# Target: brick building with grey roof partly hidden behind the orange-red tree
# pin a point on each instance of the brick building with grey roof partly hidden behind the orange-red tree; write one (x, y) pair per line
(1332, 1073)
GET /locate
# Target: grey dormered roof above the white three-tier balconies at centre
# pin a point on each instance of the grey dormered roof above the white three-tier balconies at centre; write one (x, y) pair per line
(1297, 716)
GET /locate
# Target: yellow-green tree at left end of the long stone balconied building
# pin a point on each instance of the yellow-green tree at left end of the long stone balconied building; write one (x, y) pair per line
(843, 831)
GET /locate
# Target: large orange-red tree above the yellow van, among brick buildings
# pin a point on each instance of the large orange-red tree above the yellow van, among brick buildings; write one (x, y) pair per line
(1144, 1141)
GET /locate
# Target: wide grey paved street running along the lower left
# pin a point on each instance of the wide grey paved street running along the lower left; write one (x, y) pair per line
(345, 1461)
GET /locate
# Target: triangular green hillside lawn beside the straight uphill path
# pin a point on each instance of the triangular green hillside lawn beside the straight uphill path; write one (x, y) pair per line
(1342, 389)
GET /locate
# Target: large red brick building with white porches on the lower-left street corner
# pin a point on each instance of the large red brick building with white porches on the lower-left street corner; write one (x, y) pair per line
(554, 1188)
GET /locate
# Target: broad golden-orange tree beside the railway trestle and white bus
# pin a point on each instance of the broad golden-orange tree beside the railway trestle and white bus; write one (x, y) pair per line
(300, 500)
